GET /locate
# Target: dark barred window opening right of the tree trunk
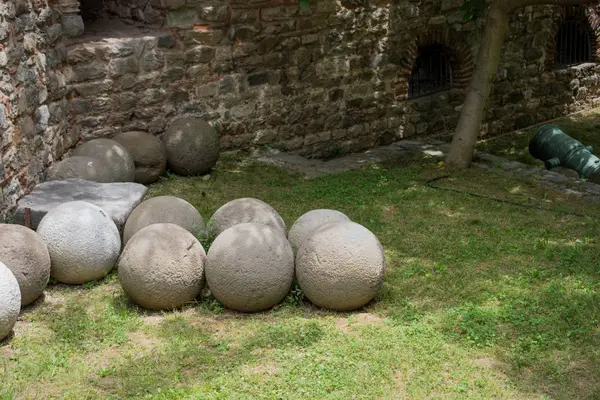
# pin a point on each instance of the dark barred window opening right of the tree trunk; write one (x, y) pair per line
(573, 44)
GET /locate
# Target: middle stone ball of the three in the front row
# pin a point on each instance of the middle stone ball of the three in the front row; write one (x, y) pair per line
(250, 267)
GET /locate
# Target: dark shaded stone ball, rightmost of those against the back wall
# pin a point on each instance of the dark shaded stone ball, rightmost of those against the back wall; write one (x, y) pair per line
(192, 146)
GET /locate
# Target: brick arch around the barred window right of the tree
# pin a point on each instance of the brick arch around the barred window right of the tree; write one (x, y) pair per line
(587, 15)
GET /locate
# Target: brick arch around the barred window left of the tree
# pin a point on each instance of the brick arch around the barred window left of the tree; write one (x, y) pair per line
(458, 52)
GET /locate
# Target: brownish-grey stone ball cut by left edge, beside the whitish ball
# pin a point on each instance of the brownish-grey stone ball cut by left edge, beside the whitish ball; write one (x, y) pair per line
(24, 252)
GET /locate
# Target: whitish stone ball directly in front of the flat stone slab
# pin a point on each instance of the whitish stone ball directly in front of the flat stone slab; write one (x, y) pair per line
(83, 242)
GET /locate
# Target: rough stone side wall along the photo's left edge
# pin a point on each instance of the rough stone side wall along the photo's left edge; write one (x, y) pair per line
(33, 108)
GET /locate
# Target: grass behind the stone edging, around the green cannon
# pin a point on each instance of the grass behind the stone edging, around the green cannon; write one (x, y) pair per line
(583, 127)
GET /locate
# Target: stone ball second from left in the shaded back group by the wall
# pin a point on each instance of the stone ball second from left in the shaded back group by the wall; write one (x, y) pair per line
(118, 160)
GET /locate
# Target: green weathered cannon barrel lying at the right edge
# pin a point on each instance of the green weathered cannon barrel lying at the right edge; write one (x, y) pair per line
(555, 148)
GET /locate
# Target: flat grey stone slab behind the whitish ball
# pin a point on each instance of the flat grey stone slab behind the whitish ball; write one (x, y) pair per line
(117, 199)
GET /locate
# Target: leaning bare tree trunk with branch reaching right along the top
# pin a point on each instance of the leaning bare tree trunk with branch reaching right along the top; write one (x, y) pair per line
(471, 116)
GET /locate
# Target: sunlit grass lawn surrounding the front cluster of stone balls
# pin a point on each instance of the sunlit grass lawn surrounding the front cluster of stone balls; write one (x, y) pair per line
(482, 299)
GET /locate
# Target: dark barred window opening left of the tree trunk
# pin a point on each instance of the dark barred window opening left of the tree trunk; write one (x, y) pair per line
(432, 72)
